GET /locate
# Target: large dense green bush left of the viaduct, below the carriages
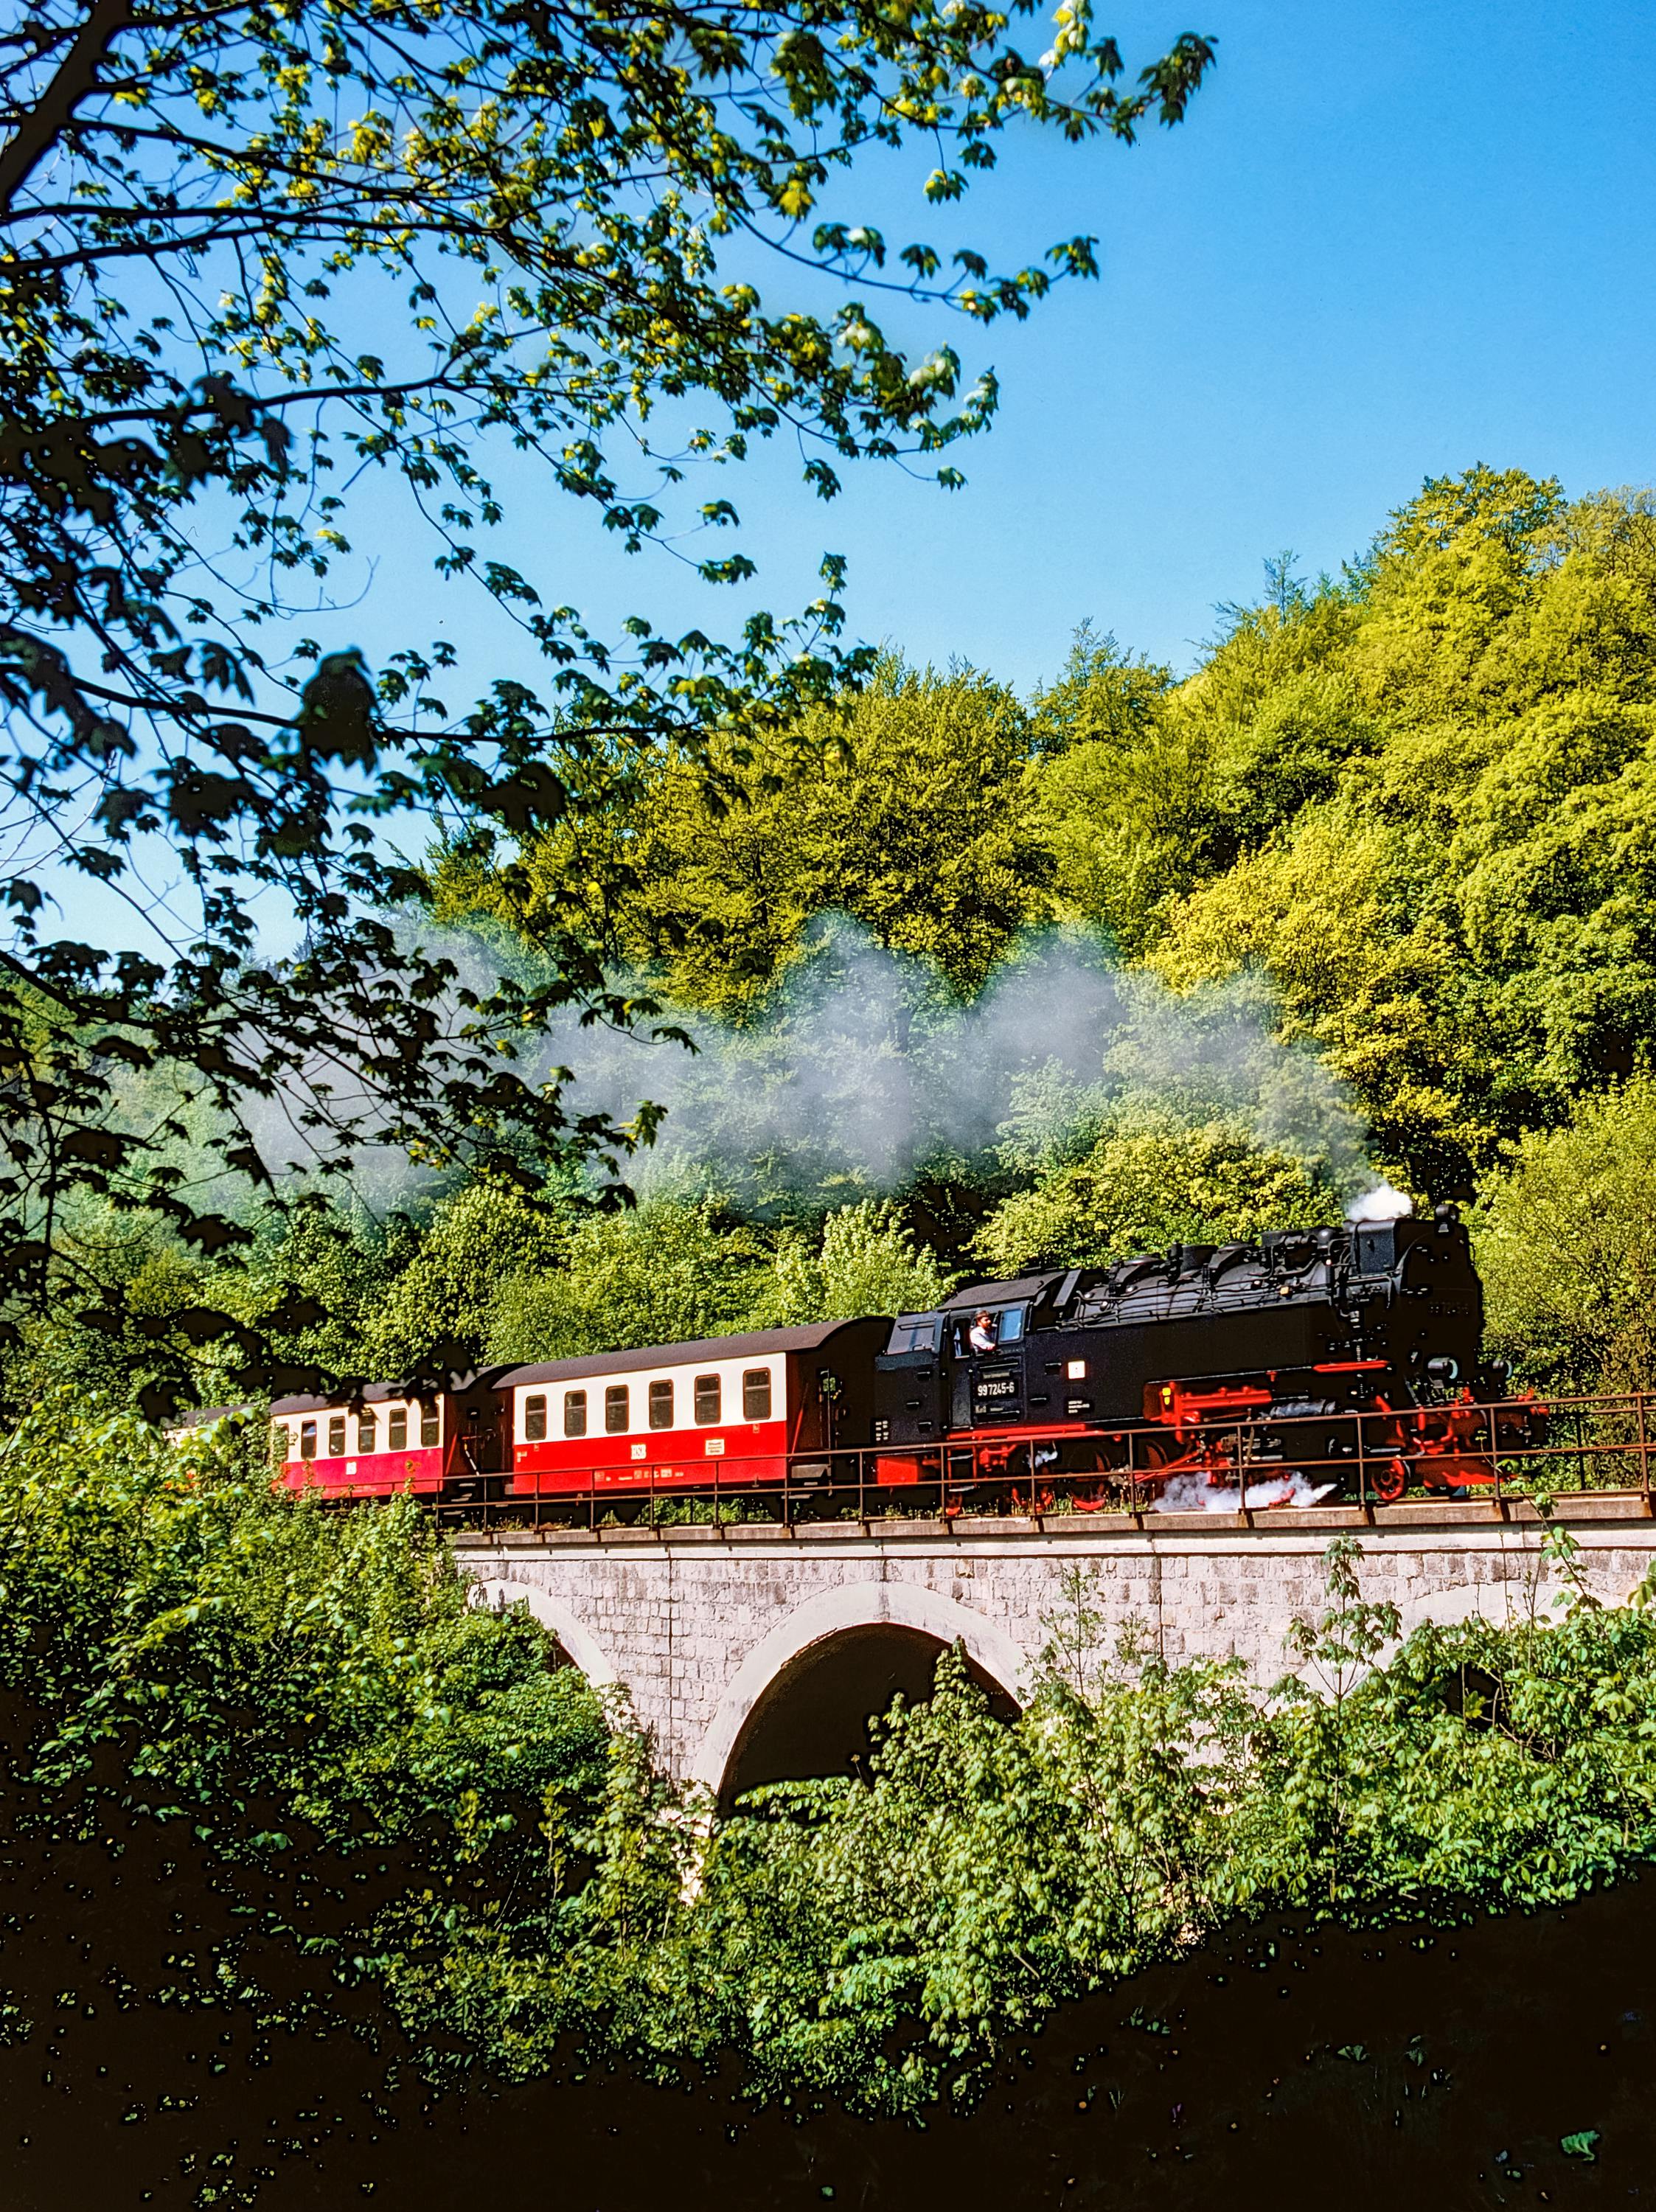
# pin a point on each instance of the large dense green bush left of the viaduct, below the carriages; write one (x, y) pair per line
(306, 1695)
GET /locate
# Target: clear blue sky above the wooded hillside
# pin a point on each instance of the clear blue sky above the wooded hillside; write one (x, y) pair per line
(1390, 240)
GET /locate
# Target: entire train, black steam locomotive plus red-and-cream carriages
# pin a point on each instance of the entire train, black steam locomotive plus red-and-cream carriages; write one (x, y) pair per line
(1312, 1364)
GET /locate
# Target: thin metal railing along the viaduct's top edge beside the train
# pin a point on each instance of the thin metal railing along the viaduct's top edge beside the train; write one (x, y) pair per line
(1374, 1461)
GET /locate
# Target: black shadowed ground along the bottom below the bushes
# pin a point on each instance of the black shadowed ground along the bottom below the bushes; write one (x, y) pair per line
(1436, 2069)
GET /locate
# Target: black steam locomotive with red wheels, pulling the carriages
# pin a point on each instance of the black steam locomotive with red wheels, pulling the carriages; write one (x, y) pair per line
(1308, 1359)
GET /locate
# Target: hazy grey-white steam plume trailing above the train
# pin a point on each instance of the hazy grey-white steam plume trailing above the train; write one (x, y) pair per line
(866, 1072)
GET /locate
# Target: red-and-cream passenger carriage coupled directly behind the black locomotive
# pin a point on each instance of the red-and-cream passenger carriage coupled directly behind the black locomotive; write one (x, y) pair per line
(729, 1412)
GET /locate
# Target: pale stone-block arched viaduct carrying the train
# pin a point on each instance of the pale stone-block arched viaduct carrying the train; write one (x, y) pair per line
(757, 1653)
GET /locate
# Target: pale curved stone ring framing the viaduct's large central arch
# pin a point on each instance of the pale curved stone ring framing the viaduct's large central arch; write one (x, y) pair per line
(835, 1614)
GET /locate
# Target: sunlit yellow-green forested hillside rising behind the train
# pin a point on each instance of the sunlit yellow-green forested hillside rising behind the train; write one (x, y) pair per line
(983, 981)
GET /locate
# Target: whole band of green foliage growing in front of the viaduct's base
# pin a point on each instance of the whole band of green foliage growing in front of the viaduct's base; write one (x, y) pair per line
(410, 1795)
